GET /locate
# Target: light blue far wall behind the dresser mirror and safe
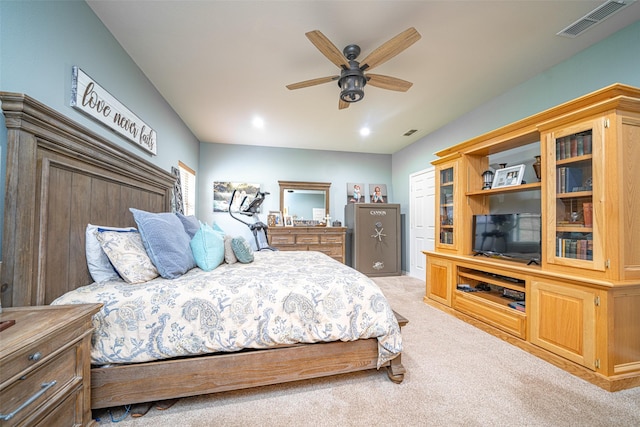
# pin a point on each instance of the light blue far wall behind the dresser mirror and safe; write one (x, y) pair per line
(266, 166)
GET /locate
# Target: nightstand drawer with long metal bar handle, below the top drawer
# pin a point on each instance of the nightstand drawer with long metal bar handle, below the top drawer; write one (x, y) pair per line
(39, 386)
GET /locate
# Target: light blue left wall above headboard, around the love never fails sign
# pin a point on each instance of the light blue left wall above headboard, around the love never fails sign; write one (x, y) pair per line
(39, 43)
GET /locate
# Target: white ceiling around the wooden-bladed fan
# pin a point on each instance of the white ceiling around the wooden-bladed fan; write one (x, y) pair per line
(220, 63)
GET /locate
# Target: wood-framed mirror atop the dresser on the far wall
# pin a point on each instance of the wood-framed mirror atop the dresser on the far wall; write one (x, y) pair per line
(304, 200)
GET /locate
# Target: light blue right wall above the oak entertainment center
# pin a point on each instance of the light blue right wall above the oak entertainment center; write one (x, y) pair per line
(613, 60)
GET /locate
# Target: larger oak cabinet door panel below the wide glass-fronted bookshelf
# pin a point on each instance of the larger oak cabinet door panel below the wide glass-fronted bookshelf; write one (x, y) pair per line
(563, 321)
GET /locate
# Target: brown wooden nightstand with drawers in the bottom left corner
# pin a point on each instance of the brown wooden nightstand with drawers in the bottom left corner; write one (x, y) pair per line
(46, 365)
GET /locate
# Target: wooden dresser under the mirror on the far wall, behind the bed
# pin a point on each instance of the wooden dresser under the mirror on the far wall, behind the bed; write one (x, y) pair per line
(329, 240)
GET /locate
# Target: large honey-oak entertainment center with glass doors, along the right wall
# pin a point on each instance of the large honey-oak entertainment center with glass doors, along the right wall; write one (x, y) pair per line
(581, 308)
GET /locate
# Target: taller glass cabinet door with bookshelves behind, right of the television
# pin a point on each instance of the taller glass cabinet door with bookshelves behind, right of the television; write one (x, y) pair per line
(576, 181)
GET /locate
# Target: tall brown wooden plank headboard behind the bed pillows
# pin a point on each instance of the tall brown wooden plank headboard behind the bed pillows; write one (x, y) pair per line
(61, 176)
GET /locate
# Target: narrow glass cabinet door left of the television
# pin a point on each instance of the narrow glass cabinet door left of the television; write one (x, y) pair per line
(446, 206)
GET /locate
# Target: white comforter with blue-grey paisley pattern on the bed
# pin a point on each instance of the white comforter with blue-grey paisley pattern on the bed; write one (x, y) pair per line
(280, 298)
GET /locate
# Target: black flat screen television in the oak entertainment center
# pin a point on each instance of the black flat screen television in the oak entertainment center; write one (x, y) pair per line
(516, 236)
